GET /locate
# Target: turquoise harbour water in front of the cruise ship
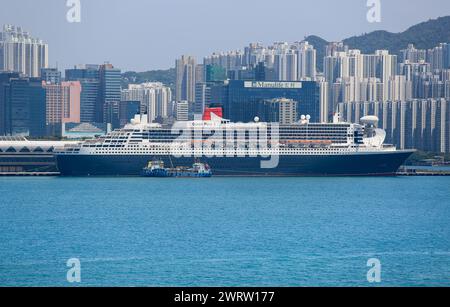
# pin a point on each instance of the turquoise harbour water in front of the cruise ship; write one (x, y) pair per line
(225, 231)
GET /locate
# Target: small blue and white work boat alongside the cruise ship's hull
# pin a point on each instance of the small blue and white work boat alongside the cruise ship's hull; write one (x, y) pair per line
(157, 169)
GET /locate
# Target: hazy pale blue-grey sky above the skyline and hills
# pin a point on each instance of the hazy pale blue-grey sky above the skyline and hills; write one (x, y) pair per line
(149, 34)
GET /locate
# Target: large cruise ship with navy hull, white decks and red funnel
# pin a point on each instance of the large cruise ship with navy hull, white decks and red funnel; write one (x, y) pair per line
(238, 149)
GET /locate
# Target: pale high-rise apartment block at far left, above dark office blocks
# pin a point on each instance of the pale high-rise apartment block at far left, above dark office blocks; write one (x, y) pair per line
(20, 52)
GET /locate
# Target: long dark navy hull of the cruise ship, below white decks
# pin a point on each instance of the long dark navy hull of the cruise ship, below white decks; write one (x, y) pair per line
(361, 164)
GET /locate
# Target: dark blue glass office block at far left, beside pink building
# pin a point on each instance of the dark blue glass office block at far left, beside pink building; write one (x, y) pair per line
(25, 107)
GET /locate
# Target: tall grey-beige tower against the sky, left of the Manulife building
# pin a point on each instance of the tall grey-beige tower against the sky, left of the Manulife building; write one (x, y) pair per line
(185, 78)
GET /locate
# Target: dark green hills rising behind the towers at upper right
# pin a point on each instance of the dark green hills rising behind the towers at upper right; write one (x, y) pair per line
(425, 35)
